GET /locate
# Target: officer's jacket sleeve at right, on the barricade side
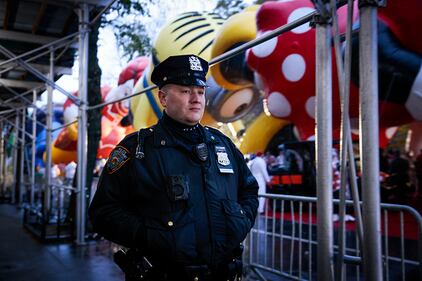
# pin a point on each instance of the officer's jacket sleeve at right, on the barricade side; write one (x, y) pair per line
(248, 188)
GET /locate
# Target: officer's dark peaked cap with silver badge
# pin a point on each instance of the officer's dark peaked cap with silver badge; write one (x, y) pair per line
(187, 70)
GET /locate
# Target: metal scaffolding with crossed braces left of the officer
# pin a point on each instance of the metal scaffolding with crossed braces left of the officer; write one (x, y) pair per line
(20, 153)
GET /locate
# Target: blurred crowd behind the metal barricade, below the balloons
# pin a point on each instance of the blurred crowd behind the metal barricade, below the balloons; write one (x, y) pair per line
(400, 176)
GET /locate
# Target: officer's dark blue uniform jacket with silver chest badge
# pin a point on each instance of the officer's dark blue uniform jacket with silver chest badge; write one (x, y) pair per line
(134, 204)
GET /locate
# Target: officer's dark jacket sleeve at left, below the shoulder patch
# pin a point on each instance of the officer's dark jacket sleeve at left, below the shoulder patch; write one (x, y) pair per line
(109, 211)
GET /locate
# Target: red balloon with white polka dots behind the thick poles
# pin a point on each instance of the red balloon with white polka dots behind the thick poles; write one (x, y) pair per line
(286, 66)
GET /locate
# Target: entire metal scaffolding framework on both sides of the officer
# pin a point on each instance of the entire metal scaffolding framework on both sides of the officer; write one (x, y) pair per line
(322, 18)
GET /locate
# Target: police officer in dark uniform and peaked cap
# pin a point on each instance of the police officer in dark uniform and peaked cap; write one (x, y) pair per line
(178, 193)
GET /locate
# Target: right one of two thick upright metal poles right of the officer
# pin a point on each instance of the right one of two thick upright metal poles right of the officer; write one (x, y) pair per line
(369, 153)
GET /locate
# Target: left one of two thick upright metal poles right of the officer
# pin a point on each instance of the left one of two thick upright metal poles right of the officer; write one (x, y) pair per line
(323, 146)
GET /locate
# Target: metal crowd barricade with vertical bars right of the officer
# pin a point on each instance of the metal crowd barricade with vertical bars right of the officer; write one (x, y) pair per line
(283, 242)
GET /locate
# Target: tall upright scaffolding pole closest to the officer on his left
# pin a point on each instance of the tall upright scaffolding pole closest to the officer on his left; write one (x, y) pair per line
(82, 123)
